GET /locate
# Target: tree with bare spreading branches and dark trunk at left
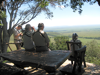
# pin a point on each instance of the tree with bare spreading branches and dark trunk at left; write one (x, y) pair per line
(19, 16)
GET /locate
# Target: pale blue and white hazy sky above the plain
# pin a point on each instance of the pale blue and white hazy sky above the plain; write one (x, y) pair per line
(66, 16)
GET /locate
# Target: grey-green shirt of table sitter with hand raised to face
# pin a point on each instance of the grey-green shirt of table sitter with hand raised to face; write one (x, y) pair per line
(27, 40)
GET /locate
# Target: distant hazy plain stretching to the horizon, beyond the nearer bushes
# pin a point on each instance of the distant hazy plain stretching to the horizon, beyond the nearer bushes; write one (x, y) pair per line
(85, 33)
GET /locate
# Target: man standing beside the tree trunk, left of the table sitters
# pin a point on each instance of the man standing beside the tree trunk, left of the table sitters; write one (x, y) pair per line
(17, 37)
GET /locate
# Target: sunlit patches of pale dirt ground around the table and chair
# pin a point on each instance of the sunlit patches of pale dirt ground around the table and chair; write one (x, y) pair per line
(90, 69)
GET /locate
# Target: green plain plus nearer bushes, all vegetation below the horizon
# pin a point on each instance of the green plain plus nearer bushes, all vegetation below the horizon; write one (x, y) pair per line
(89, 36)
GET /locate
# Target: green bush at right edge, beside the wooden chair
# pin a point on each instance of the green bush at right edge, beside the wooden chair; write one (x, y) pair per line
(93, 52)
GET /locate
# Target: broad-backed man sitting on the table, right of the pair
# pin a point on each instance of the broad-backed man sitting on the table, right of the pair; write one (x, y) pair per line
(41, 39)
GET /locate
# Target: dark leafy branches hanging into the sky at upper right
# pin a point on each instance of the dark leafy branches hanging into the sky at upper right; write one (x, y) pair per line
(76, 5)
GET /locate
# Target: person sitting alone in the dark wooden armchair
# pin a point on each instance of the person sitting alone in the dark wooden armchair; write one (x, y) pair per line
(74, 39)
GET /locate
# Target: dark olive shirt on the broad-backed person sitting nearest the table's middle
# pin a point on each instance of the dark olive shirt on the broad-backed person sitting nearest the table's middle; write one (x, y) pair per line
(40, 38)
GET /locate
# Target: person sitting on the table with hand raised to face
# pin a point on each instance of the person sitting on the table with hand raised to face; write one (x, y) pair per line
(27, 38)
